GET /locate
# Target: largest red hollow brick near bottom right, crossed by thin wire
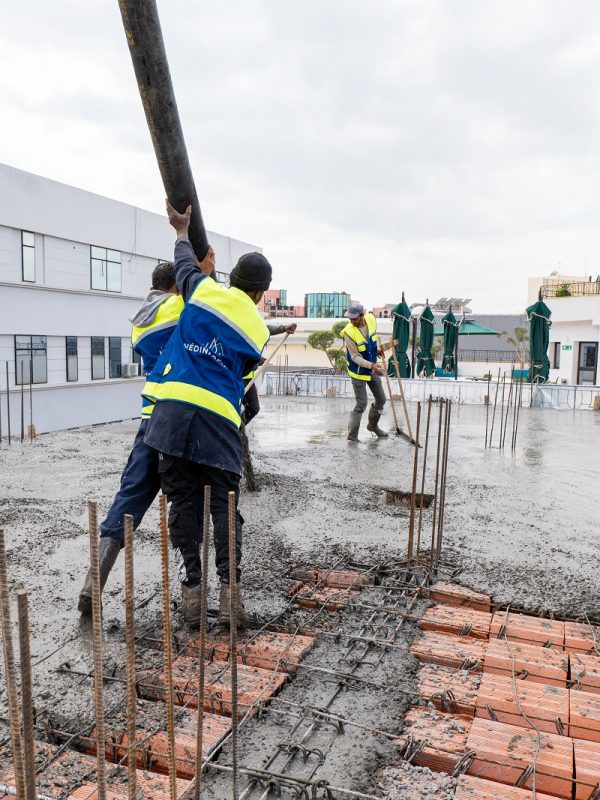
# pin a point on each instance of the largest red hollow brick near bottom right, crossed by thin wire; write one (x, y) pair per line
(504, 752)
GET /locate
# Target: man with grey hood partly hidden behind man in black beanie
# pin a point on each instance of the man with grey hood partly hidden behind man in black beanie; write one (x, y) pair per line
(153, 325)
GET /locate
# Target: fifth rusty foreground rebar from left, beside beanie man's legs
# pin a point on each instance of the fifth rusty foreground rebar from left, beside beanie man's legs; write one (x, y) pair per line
(167, 643)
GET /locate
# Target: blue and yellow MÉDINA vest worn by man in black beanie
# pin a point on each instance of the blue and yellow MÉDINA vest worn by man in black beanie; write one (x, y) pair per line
(219, 331)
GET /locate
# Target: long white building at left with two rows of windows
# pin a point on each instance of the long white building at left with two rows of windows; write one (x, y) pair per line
(74, 267)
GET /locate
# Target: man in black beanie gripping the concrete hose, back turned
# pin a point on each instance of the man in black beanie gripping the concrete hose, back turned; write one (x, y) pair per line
(197, 386)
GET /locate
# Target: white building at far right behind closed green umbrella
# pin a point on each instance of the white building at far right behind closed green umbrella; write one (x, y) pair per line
(575, 330)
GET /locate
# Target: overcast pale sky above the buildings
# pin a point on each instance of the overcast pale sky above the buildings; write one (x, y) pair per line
(443, 148)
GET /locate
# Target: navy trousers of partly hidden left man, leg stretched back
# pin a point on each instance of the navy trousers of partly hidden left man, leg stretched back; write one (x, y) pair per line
(140, 483)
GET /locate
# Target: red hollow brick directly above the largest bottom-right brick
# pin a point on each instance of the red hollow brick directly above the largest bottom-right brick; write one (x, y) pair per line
(547, 707)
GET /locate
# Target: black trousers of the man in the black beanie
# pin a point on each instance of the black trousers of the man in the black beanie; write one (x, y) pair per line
(183, 482)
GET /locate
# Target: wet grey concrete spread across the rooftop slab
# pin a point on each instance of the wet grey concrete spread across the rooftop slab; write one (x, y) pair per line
(521, 526)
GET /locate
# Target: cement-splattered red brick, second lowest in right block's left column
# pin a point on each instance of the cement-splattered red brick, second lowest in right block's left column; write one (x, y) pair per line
(450, 690)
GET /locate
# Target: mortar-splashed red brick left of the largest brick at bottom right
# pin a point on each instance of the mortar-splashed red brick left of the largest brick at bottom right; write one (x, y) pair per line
(443, 738)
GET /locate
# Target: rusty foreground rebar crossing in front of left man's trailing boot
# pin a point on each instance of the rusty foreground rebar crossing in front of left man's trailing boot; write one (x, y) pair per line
(97, 649)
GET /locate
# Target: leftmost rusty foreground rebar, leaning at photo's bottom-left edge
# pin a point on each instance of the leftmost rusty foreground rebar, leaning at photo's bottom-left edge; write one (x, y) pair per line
(10, 672)
